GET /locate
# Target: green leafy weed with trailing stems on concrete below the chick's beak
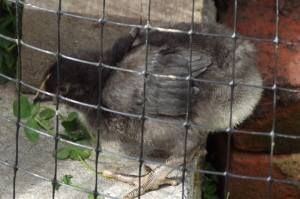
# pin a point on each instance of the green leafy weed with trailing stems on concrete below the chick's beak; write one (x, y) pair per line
(74, 131)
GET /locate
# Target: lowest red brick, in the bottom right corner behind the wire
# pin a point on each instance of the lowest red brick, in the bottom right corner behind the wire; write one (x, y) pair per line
(258, 165)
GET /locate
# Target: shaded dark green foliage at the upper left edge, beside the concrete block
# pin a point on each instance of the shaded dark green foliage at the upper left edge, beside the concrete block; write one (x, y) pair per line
(8, 49)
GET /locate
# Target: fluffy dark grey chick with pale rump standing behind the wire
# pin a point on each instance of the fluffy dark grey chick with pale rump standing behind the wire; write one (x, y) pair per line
(167, 97)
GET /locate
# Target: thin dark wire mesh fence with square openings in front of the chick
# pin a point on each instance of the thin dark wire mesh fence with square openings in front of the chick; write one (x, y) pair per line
(102, 21)
